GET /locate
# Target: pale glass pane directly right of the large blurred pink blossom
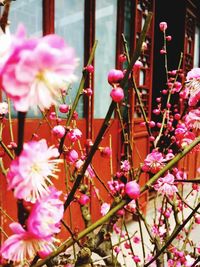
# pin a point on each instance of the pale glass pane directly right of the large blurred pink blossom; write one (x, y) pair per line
(69, 23)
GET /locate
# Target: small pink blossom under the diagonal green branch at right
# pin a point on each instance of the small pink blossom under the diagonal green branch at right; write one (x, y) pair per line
(166, 185)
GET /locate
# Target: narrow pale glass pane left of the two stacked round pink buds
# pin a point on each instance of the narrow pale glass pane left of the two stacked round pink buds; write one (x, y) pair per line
(106, 17)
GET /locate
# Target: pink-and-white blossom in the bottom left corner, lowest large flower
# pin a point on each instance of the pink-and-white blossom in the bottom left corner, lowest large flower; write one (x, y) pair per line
(23, 245)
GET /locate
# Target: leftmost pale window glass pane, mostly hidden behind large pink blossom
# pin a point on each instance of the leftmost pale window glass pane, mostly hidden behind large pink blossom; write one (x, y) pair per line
(29, 13)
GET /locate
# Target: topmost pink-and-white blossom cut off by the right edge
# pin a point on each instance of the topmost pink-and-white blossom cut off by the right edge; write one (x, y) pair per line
(192, 87)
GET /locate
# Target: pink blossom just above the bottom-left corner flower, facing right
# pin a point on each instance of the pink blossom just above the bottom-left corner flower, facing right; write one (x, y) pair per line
(45, 216)
